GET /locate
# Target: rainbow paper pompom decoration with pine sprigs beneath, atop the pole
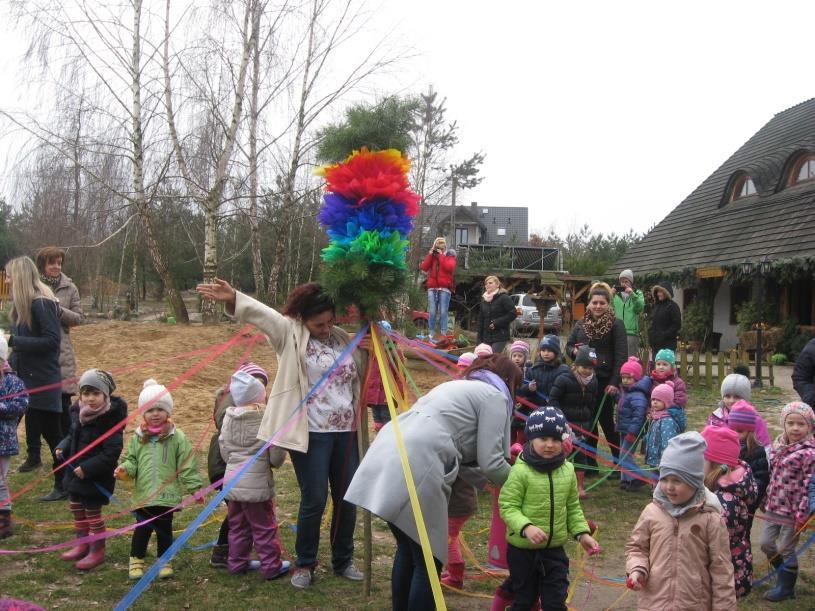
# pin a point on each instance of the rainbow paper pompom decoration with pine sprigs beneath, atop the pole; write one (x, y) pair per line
(368, 211)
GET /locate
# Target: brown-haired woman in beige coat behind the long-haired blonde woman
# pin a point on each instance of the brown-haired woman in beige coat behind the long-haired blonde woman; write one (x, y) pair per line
(49, 263)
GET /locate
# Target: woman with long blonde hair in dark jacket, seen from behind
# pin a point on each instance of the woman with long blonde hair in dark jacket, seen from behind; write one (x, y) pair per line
(35, 342)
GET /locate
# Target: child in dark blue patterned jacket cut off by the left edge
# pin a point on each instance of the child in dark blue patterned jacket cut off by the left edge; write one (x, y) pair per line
(12, 408)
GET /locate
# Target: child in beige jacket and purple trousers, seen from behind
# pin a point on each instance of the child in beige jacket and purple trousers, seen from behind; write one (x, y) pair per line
(251, 510)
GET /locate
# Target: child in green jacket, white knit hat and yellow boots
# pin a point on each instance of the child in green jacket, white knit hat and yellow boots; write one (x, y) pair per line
(161, 461)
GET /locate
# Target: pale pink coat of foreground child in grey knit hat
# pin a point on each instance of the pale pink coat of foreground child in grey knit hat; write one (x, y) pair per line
(686, 560)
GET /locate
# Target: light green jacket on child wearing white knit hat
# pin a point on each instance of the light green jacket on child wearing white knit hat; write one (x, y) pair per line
(153, 465)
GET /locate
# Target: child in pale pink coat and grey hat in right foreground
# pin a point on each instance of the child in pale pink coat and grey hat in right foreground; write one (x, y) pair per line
(678, 555)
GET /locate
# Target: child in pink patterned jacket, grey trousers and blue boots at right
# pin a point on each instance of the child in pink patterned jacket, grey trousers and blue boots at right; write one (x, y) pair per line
(792, 463)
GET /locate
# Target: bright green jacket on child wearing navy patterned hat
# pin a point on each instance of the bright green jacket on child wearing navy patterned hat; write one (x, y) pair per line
(547, 500)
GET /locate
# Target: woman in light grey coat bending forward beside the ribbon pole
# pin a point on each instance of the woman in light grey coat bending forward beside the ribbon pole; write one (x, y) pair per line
(460, 429)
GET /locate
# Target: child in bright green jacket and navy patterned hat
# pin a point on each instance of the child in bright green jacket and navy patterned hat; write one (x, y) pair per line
(540, 505)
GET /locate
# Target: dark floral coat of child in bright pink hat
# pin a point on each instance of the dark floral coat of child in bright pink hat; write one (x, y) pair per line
(737, 493)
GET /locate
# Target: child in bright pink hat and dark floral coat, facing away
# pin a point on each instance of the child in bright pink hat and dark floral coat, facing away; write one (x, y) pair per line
(735, 487)
